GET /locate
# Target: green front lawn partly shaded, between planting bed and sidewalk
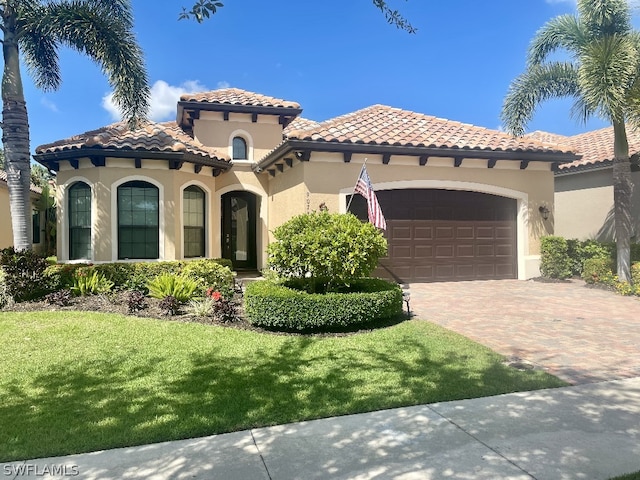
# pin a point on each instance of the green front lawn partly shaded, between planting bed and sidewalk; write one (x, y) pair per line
(74, 382)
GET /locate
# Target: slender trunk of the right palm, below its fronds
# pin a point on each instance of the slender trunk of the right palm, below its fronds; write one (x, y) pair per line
(622, 191)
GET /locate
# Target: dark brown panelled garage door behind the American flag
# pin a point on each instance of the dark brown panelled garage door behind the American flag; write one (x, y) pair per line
(446, 235)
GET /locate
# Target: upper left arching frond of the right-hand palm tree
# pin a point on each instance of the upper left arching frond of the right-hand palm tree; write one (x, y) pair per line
(561, 33)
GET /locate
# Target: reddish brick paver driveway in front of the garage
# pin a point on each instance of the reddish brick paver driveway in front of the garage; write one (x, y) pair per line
(577, 333)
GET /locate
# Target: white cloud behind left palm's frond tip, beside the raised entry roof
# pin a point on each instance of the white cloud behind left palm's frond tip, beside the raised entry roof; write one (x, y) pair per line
(164, 98)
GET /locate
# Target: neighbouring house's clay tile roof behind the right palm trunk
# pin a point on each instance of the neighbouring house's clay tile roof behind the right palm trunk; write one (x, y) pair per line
(597, 146)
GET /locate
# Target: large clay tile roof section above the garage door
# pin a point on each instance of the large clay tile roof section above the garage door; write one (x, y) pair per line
(383, 125)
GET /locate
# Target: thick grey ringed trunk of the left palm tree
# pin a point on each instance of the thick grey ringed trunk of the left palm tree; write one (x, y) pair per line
(15, 138)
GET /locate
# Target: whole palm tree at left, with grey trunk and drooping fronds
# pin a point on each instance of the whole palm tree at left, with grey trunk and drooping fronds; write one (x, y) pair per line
(33, 31)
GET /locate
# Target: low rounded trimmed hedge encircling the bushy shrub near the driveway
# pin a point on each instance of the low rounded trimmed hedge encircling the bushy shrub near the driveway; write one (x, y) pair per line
(273, 305)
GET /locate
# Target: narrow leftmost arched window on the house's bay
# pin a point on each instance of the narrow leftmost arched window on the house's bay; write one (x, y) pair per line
(79, 198)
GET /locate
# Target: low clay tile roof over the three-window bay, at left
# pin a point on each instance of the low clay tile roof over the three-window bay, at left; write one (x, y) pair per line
(159, 137)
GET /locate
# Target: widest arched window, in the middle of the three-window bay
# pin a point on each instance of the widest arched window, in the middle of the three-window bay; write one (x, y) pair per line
(138, 220)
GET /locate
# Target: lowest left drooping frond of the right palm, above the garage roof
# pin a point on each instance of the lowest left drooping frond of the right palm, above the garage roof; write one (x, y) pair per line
(529, 90)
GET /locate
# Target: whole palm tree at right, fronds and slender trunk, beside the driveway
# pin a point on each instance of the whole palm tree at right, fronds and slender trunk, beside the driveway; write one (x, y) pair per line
(602, 75)
